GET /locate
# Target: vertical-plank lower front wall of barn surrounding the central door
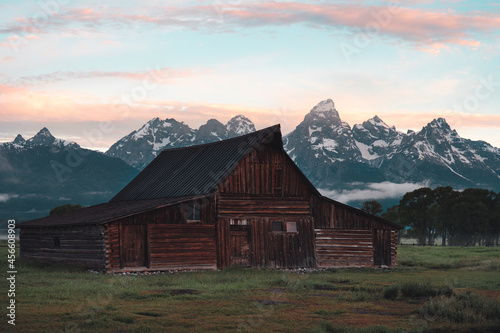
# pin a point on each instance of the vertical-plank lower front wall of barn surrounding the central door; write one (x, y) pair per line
(270, 249)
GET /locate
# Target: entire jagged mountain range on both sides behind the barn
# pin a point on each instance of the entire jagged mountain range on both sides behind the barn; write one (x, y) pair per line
(337, 158)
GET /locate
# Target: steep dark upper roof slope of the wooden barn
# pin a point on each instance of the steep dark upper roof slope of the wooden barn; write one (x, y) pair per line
(195, 170)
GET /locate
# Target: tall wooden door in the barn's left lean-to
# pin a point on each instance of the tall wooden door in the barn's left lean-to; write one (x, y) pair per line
(133, 245)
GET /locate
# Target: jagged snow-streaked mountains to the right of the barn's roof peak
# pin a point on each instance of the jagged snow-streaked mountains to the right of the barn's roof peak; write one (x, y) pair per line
(334, 156)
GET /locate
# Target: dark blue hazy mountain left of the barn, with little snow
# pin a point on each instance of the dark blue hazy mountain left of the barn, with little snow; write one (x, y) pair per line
(43, 172)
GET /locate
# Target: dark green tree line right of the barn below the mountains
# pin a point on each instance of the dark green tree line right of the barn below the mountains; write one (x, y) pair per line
(461, 218)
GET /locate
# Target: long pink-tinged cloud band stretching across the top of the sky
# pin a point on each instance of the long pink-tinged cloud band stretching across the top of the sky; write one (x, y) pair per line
(430, 29)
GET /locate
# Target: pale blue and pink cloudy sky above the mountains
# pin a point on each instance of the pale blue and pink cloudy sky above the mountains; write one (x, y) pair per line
(94, 71)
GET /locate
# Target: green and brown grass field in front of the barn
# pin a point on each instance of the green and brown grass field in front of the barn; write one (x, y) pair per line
(433, 289)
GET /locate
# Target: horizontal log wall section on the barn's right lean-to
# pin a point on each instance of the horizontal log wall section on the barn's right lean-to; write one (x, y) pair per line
(340, 248)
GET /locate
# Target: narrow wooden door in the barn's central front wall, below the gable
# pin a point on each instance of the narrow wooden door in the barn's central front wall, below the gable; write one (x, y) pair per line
(239, 245)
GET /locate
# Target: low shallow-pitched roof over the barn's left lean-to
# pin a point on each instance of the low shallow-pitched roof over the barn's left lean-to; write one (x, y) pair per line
(102, 213)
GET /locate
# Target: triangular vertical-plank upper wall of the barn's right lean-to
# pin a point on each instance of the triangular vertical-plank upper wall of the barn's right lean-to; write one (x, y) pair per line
(328, 215)
